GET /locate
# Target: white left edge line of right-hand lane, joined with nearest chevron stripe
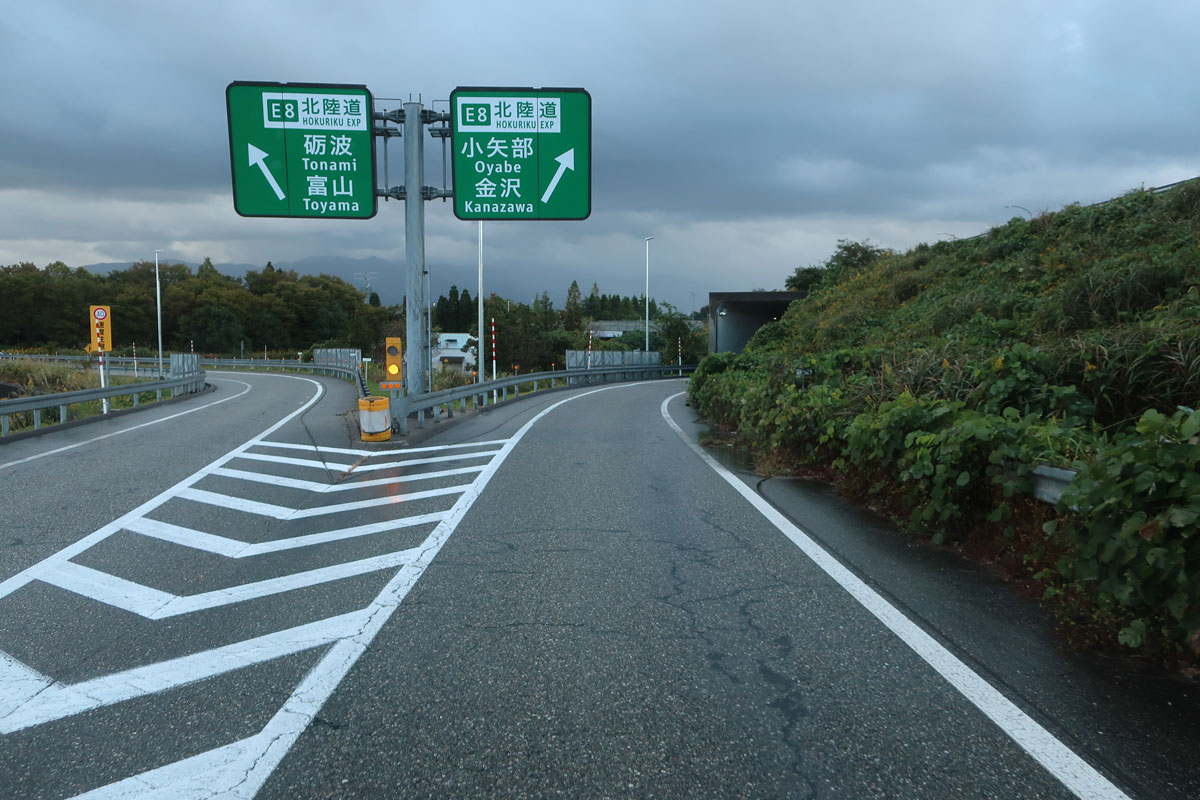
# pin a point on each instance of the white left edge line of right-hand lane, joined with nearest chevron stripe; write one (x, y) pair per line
(238, 771)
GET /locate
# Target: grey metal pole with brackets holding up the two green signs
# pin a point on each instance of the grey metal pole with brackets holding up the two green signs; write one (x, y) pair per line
(417, 353)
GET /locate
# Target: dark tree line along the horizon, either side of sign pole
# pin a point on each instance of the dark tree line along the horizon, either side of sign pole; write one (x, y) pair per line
(285, 312)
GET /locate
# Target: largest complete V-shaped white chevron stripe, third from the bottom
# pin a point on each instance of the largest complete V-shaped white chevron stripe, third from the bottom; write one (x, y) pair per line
(153, 604)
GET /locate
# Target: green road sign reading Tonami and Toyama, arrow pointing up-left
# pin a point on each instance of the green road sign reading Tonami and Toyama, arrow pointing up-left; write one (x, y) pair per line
(302, 151)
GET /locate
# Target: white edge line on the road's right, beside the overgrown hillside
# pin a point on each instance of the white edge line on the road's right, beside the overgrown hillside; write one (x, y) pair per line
(1058, 759)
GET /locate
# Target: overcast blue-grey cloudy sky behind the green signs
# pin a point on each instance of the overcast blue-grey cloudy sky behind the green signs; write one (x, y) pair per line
(747, 139)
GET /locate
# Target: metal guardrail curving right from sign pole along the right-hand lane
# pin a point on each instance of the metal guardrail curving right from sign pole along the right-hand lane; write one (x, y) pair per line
(477, 394)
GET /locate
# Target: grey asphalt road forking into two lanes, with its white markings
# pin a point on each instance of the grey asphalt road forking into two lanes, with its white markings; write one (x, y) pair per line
(555, 598)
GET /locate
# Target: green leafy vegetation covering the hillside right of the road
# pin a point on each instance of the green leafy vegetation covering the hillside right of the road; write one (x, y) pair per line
(932, 382)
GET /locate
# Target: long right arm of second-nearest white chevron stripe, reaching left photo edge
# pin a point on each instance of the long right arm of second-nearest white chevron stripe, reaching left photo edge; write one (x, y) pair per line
(58, 701)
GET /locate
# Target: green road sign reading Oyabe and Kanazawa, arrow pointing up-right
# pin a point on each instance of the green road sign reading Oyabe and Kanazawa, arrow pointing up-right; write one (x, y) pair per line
(521, 154)
